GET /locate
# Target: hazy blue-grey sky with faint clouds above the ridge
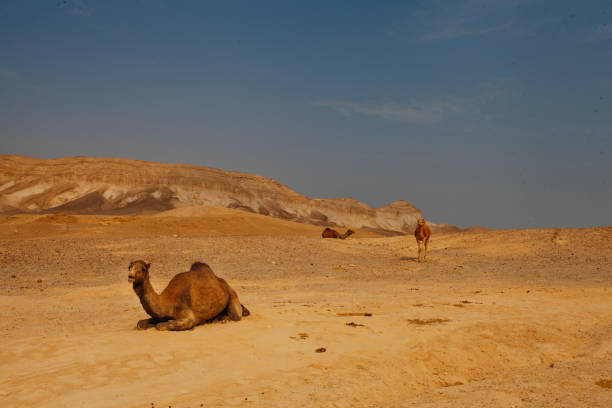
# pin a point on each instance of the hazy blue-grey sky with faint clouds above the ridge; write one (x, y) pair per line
(495, 113)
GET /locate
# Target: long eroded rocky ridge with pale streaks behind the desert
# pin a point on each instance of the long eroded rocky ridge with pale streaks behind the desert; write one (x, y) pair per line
(93, 185)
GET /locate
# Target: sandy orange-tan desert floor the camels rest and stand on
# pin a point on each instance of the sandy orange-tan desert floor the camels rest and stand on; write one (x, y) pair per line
(492, 319)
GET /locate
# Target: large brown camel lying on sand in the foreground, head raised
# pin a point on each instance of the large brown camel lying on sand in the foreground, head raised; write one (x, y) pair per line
(190, 298)
